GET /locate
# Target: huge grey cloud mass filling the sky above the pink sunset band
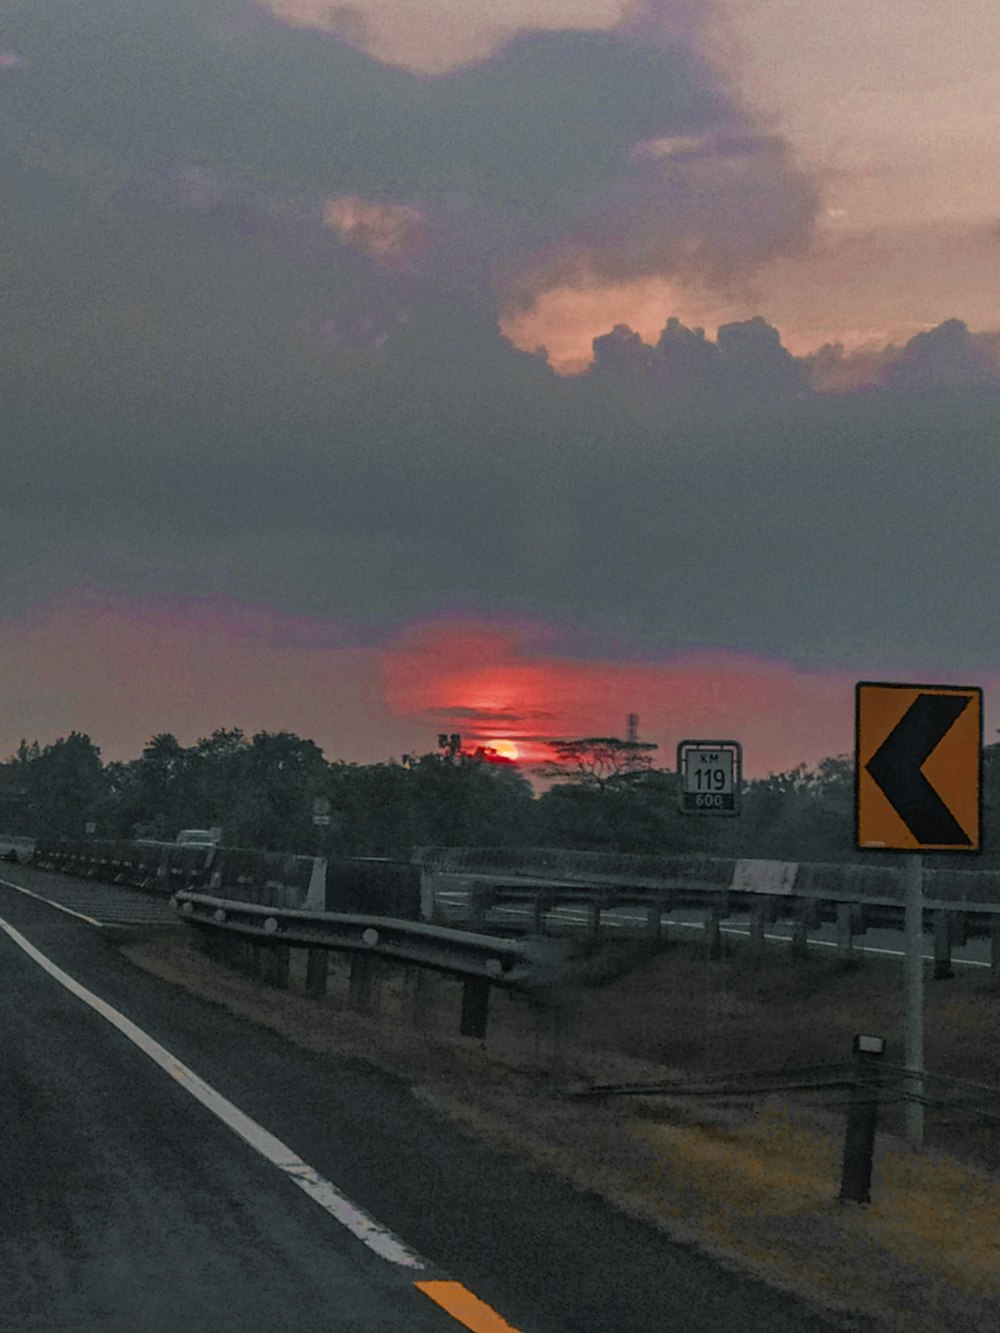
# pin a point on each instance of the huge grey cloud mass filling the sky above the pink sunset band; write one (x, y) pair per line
(213, 387)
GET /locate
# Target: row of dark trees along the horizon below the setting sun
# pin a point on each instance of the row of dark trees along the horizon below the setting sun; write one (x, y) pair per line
(602, 794)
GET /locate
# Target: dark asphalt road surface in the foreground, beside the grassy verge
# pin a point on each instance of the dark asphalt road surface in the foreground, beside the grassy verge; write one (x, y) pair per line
(129, 1207)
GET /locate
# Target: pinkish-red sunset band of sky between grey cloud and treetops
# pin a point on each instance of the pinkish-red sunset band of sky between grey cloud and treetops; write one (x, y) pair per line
(123, 674)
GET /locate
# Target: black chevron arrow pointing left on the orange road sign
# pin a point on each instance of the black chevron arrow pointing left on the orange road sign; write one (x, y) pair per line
(898, 762)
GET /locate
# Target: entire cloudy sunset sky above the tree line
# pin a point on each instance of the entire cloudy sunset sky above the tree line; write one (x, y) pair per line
(383, 370)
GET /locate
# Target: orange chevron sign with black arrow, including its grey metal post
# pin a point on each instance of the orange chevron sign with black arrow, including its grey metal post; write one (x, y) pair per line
(918, 790)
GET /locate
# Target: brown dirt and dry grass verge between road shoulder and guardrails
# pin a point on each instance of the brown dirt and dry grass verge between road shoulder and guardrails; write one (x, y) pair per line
(755, 1184)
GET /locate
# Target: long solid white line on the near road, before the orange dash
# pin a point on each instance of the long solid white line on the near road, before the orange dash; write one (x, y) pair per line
(371, 1234)
